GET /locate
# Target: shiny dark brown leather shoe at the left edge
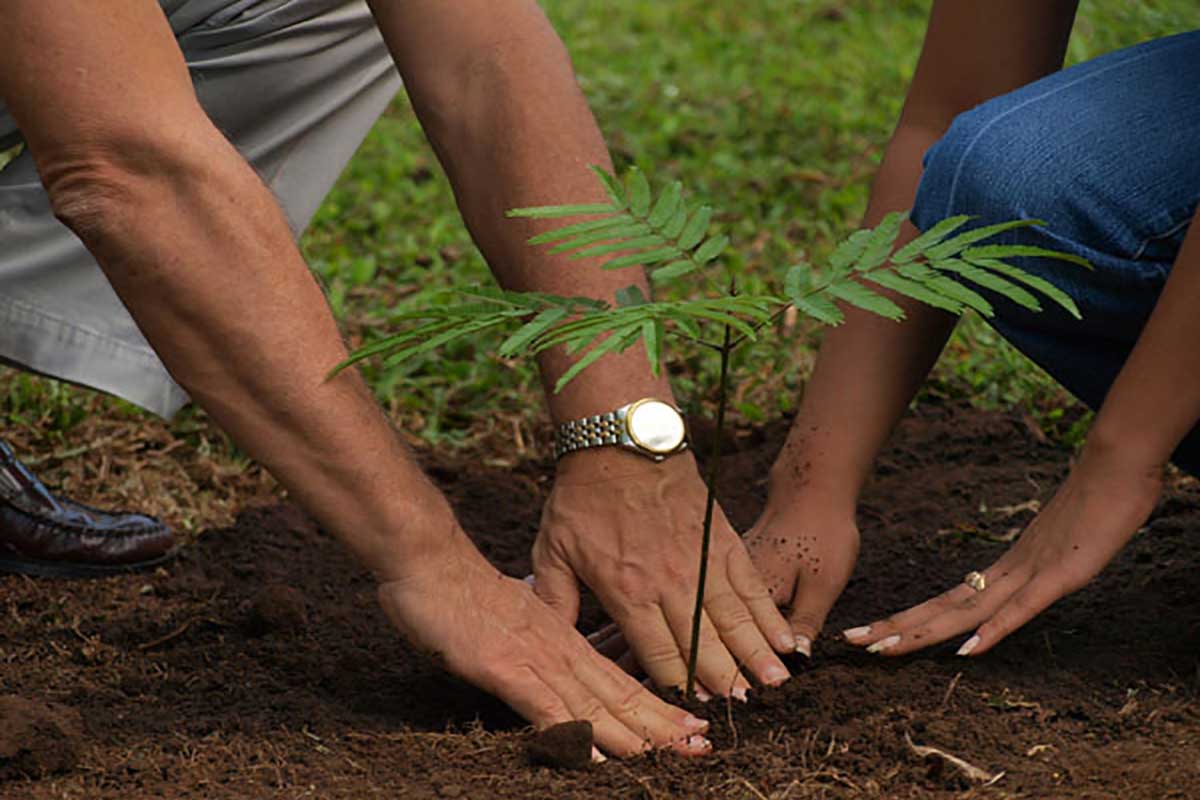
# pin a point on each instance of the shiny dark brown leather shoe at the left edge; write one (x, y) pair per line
(45, 536)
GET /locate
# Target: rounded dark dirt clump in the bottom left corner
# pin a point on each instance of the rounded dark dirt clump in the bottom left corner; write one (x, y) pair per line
(37, 739)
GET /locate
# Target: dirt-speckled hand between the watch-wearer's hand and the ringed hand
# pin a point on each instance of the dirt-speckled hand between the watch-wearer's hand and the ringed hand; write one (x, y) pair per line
(806, 555)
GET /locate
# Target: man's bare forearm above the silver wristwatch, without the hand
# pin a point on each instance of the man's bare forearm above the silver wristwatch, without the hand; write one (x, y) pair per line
(513, 129)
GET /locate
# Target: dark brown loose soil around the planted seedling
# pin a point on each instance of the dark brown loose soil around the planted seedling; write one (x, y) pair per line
(260, 666)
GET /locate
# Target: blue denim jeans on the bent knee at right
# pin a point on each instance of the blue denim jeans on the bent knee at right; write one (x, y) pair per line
(1108, 154)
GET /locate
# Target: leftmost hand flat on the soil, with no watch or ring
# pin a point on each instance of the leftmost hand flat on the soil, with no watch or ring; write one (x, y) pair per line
(493, 631)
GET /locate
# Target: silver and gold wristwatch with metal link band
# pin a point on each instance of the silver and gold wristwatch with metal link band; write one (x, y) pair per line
(649, 428)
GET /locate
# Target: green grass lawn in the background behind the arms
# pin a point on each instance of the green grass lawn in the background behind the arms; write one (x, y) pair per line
(773, 111)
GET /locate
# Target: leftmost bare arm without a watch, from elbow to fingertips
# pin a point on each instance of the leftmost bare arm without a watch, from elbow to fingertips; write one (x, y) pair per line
(201, 255)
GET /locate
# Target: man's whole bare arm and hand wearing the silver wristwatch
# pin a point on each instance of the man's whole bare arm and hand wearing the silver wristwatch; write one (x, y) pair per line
(495, 91)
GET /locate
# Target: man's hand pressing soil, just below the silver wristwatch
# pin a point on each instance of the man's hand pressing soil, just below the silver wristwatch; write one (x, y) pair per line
(633, 534)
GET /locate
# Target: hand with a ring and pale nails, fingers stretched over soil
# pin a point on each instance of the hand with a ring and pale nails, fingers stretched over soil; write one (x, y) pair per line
(1106, 500)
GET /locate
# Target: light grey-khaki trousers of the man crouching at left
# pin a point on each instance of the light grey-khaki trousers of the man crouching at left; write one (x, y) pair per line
(296, 86)
